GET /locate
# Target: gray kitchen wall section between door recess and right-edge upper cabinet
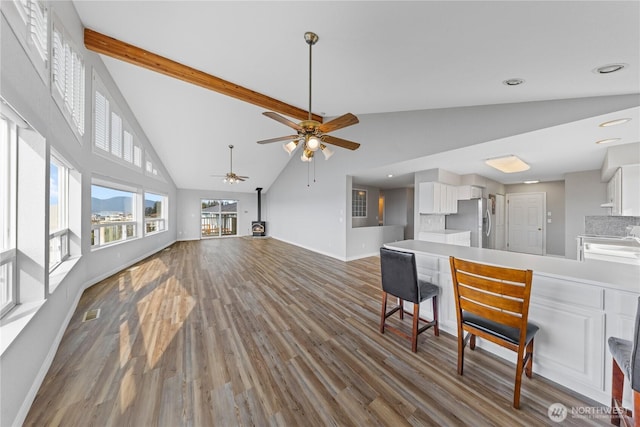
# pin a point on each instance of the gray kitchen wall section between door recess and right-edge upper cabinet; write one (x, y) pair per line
(584, 193)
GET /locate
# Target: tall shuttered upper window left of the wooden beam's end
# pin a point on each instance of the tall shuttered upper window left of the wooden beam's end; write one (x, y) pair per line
(68, 79)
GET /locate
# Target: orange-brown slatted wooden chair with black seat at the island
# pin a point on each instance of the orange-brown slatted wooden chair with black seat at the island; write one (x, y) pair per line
(493, 303)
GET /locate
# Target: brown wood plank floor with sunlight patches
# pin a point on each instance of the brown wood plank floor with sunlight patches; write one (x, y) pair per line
(256, 332)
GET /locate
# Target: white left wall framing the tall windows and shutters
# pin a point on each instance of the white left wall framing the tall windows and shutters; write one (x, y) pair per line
(26, 359)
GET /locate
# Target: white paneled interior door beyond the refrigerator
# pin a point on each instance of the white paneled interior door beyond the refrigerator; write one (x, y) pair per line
(525, 222)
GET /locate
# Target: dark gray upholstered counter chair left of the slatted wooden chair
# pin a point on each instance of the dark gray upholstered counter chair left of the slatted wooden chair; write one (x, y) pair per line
(400, 279)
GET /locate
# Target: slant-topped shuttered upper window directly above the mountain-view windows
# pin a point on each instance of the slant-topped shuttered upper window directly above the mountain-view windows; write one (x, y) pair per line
(112, 136)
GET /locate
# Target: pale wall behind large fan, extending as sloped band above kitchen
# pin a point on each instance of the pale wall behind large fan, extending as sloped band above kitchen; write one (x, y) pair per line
(394, 137)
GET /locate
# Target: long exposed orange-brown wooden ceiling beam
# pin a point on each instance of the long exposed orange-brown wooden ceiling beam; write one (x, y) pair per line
(117, 49)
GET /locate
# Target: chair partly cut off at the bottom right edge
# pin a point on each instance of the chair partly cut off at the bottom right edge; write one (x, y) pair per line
(626, 364)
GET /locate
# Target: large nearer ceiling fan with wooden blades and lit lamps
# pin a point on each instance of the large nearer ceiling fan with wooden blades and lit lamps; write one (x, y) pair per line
(313, 133)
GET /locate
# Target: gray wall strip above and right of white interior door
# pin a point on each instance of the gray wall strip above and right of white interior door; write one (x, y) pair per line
(555, 231)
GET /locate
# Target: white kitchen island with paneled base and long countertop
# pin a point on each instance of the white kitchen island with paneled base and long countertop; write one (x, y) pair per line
(577, 306)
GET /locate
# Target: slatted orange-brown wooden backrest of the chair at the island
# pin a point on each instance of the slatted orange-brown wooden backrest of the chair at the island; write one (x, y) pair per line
(495, 293)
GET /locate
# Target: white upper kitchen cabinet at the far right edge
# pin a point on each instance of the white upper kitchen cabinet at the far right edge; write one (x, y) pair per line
(623, 191)
